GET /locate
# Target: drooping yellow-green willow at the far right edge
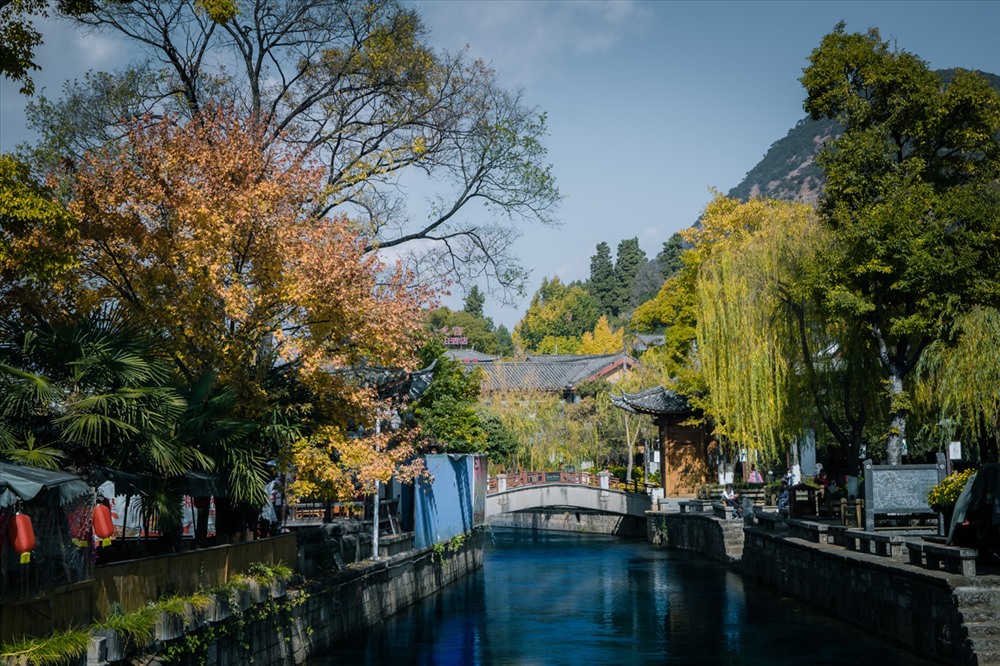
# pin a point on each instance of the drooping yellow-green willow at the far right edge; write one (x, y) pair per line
(960, 382)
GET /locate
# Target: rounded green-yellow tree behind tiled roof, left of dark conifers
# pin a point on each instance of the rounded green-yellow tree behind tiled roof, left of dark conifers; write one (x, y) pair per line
(556, 311)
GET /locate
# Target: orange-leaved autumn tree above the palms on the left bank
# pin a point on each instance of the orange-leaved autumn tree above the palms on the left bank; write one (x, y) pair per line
(209, 239)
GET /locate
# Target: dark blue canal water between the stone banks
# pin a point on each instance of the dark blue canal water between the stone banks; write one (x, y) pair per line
(555, 599)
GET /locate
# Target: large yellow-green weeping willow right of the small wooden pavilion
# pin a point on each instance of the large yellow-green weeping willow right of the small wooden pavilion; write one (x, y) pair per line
(746, 342)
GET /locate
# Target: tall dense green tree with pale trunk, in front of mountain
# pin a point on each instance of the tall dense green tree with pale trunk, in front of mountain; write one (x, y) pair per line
(911, 197)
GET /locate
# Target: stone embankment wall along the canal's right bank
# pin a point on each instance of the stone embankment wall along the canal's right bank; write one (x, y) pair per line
(951, 617)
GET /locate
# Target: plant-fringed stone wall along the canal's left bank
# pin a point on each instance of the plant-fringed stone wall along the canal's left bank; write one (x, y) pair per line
(294, 626)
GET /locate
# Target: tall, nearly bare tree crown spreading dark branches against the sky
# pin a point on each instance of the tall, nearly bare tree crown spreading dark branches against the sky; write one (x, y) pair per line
(353, 86)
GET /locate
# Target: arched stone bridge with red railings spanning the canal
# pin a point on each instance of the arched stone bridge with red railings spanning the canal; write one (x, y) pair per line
(565, 501)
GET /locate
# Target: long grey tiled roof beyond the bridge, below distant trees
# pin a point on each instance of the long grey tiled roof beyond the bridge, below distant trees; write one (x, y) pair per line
(550, 373)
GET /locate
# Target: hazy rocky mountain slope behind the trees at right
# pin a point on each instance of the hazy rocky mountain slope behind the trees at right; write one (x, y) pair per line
(789, 171)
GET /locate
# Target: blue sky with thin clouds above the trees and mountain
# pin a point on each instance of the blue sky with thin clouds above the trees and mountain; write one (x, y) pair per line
(650, 105)
